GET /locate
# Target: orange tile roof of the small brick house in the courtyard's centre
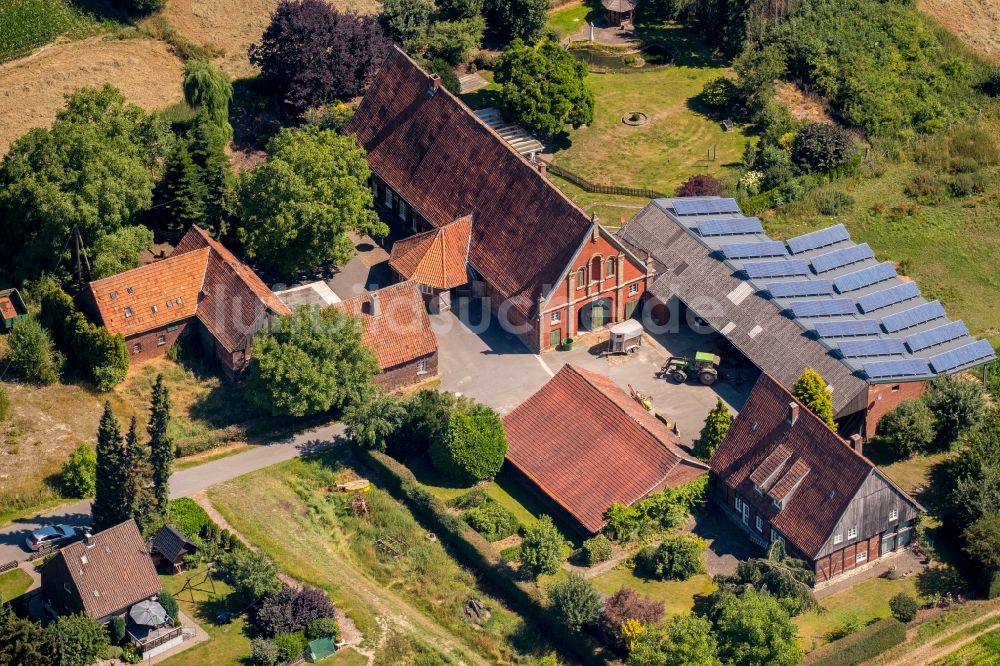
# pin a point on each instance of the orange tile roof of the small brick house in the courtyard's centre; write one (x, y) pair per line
(401, 333)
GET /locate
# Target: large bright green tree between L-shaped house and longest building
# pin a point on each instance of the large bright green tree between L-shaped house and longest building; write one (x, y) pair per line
(297, 207)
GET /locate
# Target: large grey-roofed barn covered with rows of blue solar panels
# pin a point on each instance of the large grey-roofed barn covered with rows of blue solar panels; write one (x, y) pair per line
(817, 301)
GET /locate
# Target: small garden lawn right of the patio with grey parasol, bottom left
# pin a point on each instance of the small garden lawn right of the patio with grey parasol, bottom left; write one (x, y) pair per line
(228, 642)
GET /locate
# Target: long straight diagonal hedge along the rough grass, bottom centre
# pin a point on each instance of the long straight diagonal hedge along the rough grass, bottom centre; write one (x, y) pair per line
(477, 553)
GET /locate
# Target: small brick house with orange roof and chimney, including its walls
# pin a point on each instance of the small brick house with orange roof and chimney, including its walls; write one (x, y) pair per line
(398, 330)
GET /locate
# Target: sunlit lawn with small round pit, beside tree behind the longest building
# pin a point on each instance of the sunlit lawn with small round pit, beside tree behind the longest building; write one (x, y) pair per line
(679, 141)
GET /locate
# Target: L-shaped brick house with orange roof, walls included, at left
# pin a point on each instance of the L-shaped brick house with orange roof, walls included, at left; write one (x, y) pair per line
(202, 286)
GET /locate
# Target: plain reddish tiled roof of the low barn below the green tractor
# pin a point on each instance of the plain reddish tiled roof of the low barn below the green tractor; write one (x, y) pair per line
(586, 444)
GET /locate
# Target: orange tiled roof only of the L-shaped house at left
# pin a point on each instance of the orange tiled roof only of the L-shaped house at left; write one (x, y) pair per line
(201, 278)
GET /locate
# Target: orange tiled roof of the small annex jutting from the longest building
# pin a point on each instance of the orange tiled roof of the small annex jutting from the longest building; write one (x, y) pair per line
(437, 257)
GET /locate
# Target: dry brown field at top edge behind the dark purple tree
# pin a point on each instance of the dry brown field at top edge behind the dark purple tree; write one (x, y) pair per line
(231, 26)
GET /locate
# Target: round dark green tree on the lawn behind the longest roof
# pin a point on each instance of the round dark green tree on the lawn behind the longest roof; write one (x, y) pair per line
(544, 87)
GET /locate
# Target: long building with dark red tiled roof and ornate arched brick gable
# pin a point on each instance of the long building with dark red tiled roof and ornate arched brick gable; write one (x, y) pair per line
(547, 268)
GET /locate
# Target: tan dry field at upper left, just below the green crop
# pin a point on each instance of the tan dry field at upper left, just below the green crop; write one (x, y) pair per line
(32, 88)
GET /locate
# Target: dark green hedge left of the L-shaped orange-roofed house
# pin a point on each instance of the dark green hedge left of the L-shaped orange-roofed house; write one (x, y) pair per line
(98, 353)
